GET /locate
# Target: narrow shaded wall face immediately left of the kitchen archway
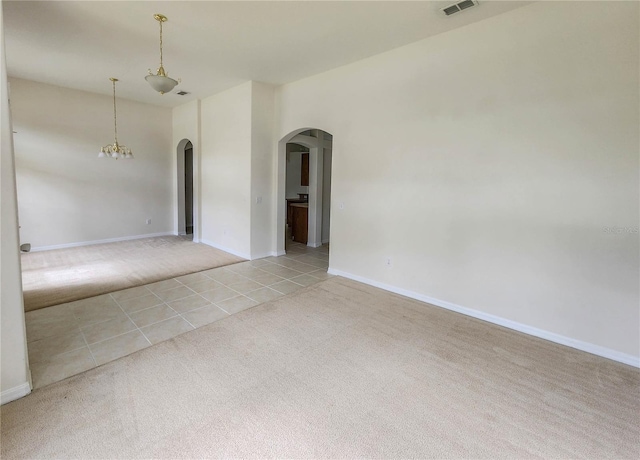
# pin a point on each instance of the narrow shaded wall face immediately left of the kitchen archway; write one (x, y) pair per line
(262, 150)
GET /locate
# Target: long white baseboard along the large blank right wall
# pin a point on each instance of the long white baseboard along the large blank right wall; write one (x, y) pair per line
(530, 330)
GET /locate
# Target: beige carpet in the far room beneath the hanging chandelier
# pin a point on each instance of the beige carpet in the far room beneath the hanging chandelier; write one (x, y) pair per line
(63, 275)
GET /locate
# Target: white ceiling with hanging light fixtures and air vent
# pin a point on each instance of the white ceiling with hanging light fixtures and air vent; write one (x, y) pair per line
(210, 45)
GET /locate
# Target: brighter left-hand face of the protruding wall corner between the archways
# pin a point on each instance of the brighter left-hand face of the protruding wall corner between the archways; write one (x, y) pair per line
(226, 170)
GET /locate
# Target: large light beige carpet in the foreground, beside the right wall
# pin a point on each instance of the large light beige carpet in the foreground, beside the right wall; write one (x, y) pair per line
(337, 370)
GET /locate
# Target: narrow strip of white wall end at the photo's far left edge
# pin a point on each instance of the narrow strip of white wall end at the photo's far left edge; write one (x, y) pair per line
(14, 366)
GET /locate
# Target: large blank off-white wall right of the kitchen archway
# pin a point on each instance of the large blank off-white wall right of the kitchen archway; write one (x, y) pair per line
(486, 162)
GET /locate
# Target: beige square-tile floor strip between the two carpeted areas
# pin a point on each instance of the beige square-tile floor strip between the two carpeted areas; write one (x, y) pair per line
(67, 339)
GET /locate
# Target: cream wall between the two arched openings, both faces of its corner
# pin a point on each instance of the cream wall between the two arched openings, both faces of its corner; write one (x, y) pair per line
(236, 172)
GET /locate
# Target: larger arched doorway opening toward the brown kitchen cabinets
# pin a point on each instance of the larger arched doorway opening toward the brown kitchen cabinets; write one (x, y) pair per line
(318, 145)
